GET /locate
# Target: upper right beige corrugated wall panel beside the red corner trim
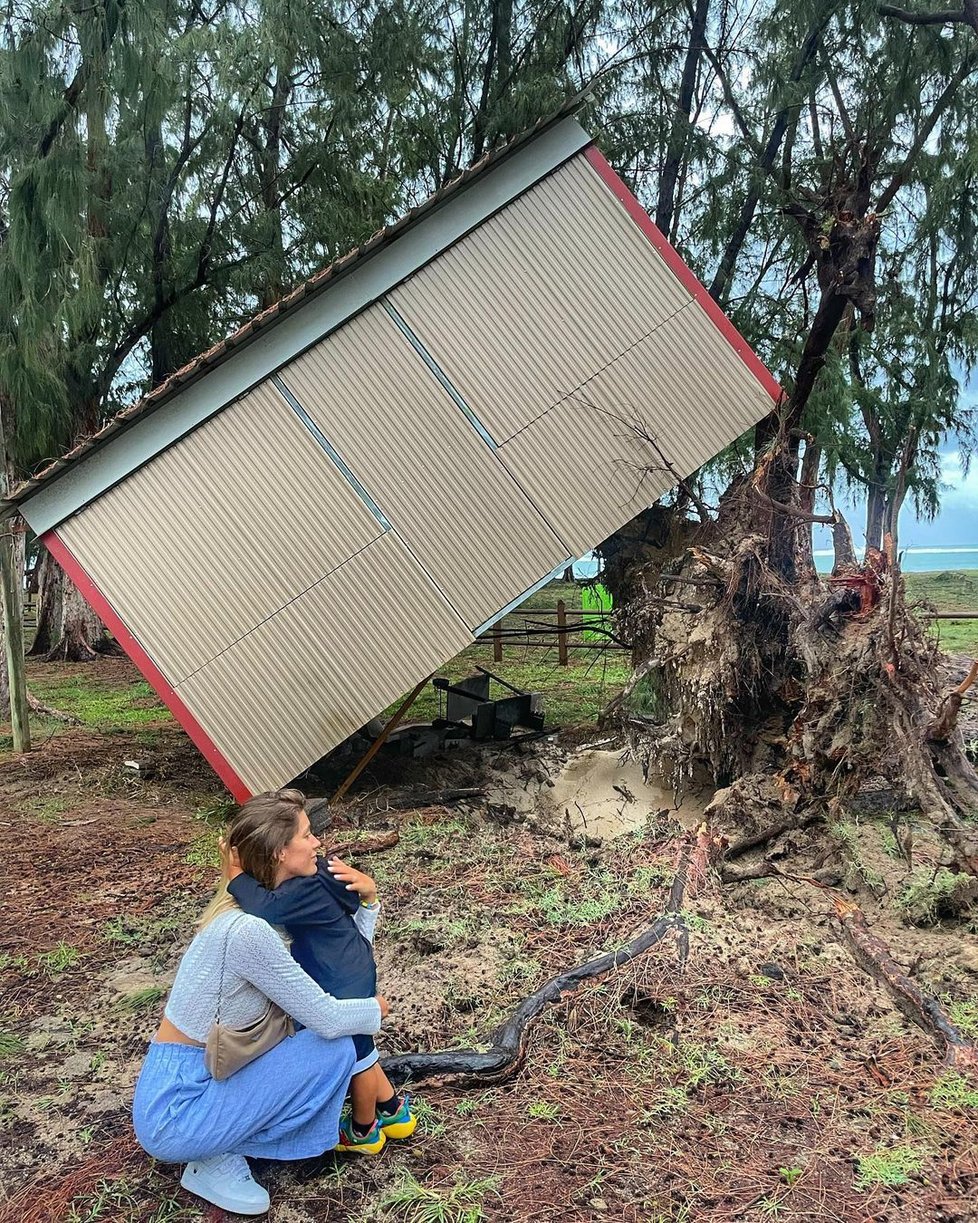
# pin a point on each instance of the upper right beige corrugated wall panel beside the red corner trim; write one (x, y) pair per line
(540, 298)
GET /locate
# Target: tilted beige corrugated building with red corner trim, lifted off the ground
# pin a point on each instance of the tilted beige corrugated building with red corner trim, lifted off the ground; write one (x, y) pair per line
(320, 512)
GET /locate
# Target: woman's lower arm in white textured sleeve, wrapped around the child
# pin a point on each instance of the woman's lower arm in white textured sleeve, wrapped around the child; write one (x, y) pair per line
(259, 956)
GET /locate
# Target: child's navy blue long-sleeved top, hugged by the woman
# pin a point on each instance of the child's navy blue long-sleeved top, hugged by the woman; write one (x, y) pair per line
(318, 913)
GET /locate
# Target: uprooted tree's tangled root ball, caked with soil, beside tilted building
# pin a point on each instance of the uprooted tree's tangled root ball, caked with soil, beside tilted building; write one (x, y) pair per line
(789, 695)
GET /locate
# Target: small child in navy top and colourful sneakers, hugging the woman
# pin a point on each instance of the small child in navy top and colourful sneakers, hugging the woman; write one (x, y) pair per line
(331, 917)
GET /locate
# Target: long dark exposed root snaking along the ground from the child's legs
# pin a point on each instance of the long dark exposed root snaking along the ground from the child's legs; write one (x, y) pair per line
(509, 1044)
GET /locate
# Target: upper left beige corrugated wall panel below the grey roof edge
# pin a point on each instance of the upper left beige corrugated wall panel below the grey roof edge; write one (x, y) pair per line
(219, 531)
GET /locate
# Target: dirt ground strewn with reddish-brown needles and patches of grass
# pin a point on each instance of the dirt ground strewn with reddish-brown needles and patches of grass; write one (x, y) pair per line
(768, 1079)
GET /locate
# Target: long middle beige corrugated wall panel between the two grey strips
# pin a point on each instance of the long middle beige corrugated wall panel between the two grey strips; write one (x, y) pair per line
(399, 431)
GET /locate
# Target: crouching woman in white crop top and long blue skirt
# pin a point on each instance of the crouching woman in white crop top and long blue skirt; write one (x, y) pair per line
(284, 1105)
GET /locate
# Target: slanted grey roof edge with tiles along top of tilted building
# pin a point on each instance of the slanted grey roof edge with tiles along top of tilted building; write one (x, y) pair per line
(140, 434)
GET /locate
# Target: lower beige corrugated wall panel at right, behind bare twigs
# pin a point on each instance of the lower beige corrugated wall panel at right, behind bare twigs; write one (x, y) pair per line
(684, 387)
